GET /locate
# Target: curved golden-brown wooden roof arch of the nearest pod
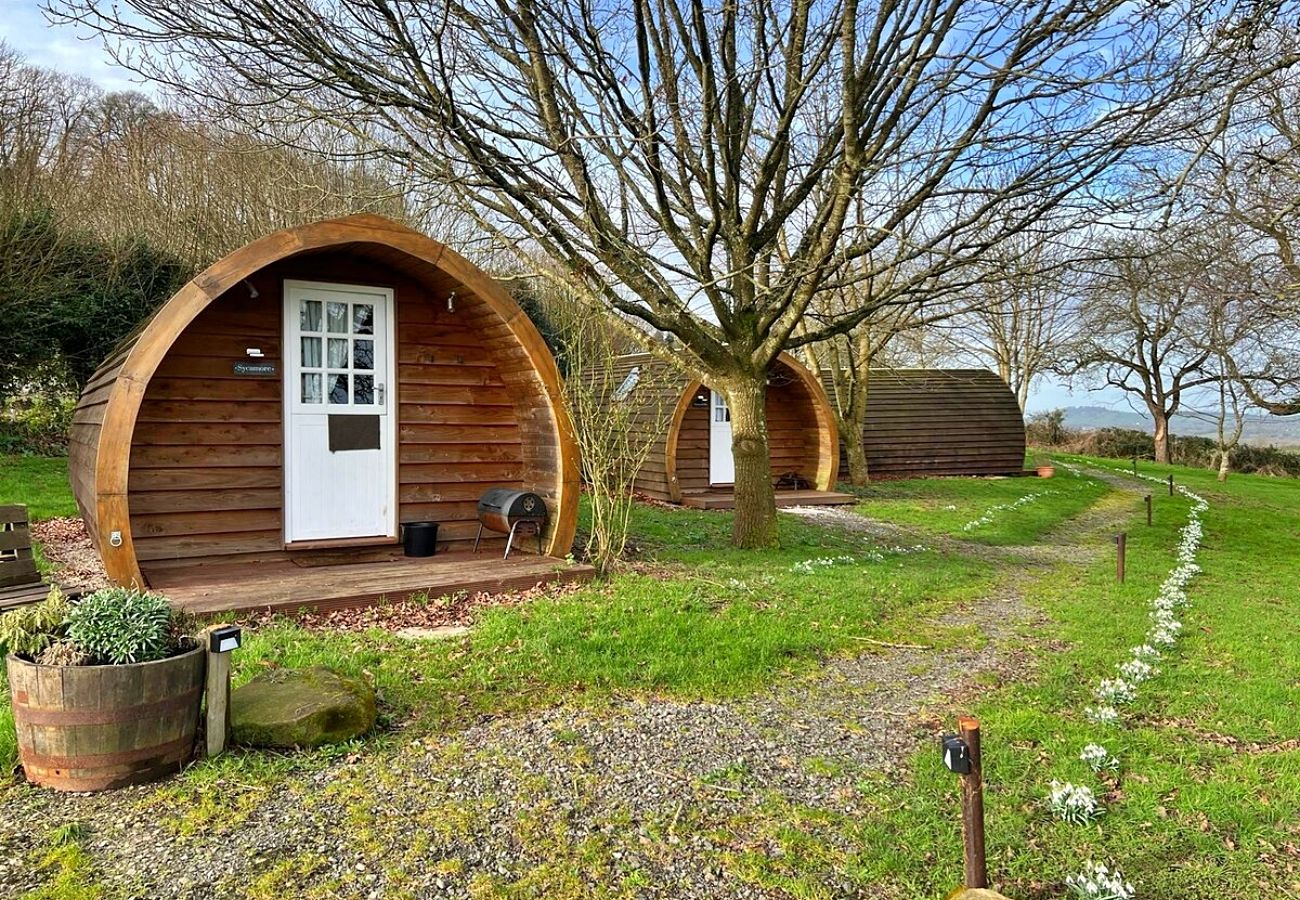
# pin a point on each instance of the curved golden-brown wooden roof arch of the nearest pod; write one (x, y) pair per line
(106, 416)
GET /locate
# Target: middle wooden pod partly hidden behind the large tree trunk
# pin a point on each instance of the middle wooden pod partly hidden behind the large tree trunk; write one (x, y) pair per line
(692, 461)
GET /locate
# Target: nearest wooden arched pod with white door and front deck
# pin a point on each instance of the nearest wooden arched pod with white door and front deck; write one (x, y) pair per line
(263, 436)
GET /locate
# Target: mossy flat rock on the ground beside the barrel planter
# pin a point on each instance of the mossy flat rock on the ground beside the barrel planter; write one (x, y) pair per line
(301, 708)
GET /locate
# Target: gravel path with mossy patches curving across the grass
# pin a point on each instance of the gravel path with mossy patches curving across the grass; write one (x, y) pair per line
(644, 798)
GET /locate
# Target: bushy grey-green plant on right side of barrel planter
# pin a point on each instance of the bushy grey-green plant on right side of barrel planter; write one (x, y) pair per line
(122, 626)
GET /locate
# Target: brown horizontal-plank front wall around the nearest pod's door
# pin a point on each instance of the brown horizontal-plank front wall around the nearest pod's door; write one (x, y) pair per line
(207, 464)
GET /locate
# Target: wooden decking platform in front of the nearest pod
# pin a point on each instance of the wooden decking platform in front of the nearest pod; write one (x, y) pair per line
(284, 586)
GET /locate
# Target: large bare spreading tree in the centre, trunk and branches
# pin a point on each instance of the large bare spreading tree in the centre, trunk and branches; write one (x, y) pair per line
(666, 153)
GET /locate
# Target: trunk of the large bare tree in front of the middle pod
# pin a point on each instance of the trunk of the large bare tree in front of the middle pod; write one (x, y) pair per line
(756, 499)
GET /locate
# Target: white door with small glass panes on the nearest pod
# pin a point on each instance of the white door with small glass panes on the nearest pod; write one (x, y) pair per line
(340, 429)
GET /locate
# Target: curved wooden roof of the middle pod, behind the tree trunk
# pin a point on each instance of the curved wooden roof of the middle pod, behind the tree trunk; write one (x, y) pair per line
(675, 392)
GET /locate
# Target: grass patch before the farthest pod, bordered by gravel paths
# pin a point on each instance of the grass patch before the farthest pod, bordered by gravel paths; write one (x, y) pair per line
(977, 509)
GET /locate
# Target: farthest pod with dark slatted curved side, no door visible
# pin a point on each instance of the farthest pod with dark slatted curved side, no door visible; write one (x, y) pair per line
(942, 422)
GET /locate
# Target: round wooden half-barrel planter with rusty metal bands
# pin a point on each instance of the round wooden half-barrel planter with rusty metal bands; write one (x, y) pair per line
(99, 728)
